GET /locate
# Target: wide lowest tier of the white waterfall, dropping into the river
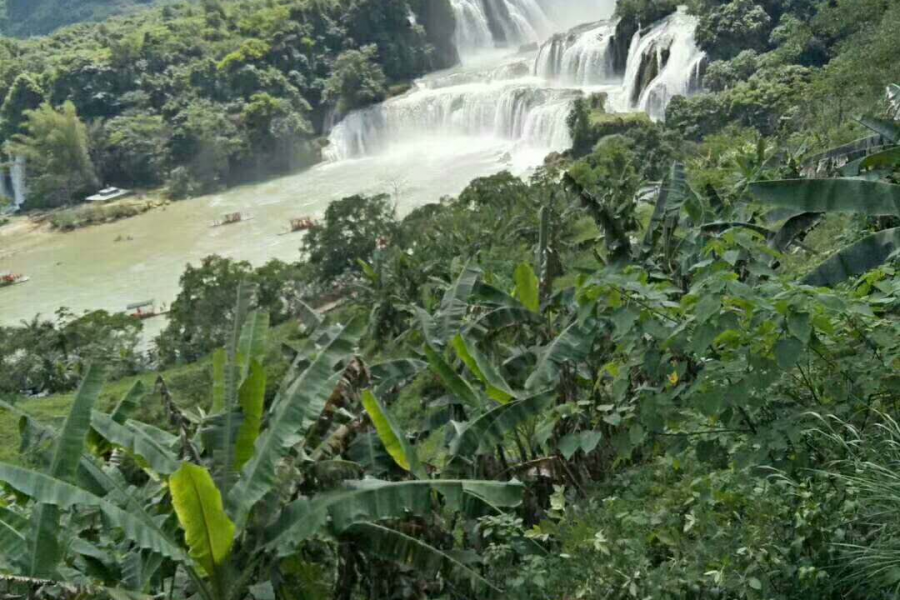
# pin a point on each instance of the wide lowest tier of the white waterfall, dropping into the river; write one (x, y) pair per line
(518, 110)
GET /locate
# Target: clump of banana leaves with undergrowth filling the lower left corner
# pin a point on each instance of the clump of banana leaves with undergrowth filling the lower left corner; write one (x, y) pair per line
(237, 496)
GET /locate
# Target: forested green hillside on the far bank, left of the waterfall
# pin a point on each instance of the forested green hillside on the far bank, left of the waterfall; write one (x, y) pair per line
(201, 96)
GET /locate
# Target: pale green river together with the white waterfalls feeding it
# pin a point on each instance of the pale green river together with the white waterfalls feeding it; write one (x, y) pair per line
(499, 110)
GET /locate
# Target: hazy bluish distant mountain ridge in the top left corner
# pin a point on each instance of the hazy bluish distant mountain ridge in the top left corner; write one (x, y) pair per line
(24, 18)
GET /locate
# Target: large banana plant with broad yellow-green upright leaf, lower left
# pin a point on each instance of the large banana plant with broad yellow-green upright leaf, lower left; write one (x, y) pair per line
(222, 490)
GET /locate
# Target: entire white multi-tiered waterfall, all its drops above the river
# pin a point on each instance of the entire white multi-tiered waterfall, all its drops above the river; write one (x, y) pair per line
(523, 100)
